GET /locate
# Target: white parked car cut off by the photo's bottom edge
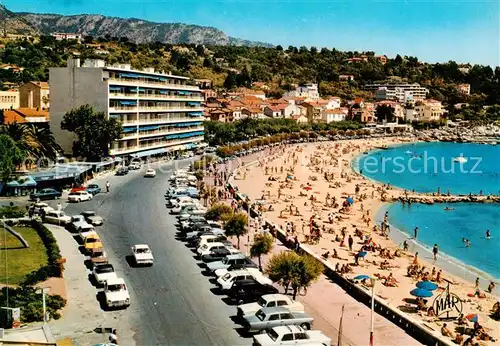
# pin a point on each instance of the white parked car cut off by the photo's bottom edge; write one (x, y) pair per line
(291, 335)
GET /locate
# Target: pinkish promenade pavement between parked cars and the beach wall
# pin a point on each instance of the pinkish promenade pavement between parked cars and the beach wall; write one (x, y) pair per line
(324, 301)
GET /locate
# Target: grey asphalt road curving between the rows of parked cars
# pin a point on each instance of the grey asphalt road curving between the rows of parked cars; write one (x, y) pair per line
(171, 302)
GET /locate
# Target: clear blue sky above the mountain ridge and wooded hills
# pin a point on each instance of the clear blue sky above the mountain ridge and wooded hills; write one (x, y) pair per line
(432, 30)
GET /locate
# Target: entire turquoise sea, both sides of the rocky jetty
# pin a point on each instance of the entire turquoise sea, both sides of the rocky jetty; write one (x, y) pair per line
(425, 167)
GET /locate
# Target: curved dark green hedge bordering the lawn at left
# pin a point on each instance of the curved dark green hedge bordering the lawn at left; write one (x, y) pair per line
(53, 268)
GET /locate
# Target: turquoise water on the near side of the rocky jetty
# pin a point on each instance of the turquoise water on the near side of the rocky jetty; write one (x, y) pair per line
(447, 228)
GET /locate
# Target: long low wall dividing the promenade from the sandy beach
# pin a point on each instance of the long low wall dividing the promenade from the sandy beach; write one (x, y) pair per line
(417, 329)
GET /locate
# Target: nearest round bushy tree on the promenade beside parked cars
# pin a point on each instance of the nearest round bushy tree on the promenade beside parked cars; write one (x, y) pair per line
(291, 269)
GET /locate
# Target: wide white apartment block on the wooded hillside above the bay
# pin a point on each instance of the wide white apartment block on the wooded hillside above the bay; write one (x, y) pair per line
(401, 92)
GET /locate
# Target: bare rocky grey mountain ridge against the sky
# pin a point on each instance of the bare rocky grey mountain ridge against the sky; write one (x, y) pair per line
(134, 29)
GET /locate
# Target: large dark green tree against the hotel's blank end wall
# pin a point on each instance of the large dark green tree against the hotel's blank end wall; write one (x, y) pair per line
(94, 132)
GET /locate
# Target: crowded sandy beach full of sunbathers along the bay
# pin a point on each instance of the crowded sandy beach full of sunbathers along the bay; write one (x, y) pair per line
(313, 186)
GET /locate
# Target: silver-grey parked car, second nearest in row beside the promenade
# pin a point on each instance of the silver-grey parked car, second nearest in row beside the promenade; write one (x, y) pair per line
(273, 317)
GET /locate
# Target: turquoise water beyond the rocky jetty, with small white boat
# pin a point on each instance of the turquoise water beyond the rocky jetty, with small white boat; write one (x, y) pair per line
(426, 167)
